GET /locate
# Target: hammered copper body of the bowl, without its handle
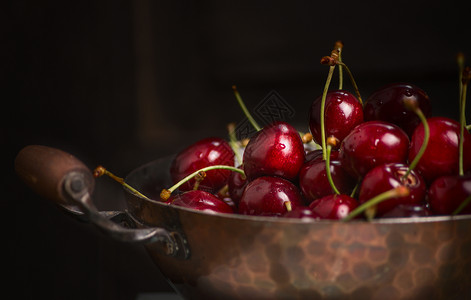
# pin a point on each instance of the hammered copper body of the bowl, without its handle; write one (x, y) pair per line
(237, 257)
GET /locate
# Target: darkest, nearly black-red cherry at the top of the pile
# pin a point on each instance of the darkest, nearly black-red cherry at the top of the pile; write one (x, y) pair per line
(387, 104)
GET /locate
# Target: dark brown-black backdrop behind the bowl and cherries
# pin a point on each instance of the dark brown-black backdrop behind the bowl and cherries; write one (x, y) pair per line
(120, 83)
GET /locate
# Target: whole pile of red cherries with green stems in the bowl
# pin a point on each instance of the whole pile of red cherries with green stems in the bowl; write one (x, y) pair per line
(386, 157)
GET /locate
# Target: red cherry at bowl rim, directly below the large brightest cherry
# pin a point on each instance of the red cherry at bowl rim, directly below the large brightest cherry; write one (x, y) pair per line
(267, 196)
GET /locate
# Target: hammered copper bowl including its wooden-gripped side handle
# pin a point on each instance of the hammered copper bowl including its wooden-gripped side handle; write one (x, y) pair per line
(222, 256)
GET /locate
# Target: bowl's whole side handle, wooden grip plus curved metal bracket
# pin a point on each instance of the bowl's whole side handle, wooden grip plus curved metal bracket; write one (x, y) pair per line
(62, 178)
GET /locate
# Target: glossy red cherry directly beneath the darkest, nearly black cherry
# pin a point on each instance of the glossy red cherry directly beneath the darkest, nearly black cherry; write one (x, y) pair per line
(371, 144)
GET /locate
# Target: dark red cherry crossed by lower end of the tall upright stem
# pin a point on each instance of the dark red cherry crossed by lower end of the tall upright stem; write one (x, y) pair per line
(313, 180)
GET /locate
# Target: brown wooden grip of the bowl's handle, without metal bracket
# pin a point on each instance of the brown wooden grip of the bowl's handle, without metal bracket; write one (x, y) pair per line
(43, 169)
